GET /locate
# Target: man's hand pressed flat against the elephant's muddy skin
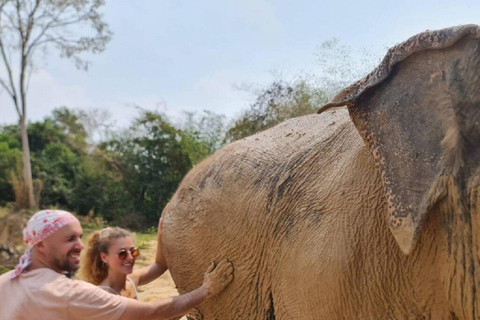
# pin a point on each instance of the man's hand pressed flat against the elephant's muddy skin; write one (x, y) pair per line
(216, 279)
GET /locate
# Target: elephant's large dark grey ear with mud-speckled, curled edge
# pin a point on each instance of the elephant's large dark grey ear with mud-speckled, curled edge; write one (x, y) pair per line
(407, 111)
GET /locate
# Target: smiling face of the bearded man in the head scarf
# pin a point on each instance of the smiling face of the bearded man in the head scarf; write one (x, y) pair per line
(63, 247)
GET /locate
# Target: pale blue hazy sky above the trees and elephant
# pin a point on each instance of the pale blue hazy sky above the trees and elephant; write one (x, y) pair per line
(174, 56)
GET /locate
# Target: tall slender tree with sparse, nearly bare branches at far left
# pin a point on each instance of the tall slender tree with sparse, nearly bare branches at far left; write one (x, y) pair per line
(27, 26)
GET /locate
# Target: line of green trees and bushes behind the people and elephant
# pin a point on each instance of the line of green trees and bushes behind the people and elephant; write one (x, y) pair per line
(126, 177)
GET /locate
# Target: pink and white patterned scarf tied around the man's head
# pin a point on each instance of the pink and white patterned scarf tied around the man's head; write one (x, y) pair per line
(40, 226)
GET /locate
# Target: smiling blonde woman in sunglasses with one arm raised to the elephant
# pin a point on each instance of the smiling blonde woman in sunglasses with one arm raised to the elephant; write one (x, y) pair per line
(110, 258)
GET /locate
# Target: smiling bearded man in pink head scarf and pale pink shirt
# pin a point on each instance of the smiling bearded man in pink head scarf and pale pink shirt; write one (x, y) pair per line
(38, 288)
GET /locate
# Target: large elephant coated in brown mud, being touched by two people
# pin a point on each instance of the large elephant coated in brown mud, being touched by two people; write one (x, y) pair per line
(369, 209)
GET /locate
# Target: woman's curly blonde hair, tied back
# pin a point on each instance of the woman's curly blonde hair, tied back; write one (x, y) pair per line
(92, 268)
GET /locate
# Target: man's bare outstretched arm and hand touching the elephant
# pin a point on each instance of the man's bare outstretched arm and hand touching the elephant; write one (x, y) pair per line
(215, 281)
